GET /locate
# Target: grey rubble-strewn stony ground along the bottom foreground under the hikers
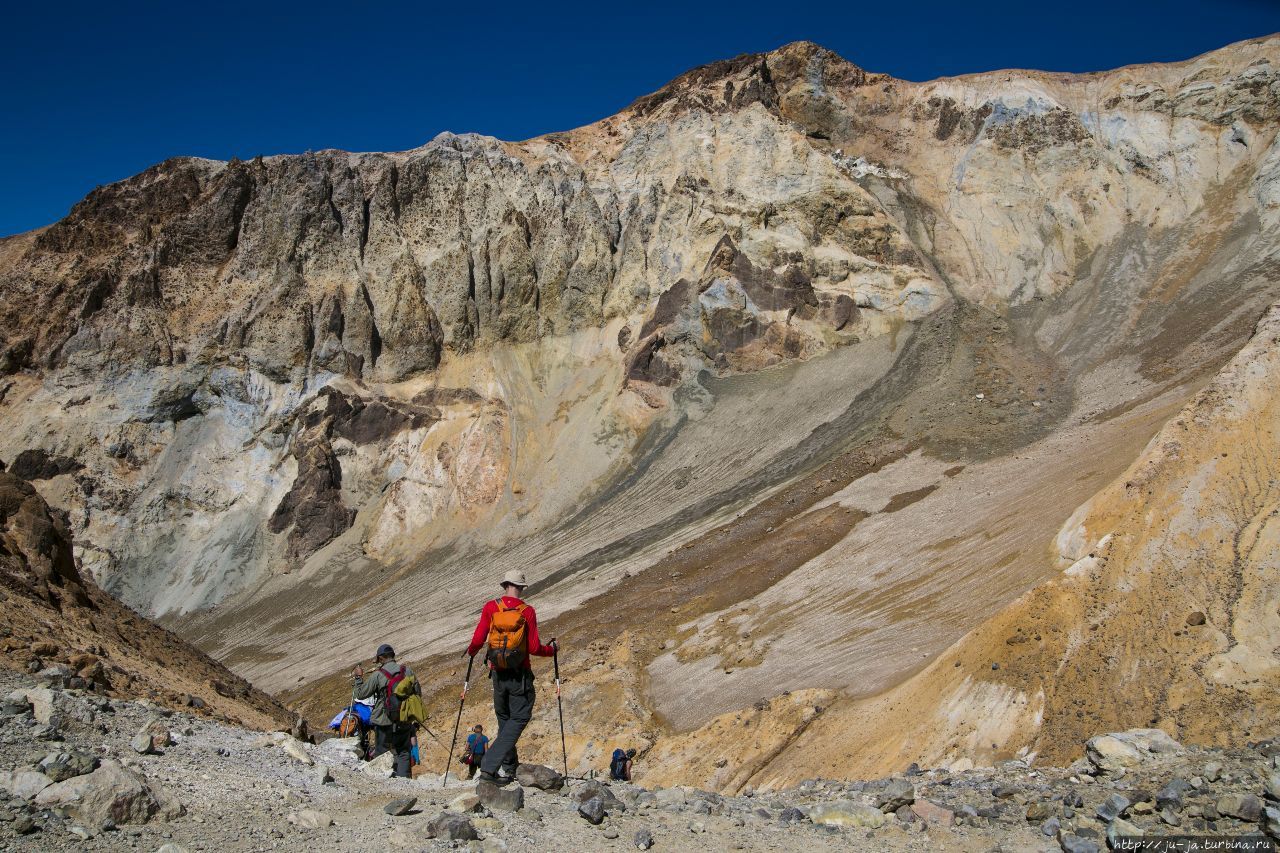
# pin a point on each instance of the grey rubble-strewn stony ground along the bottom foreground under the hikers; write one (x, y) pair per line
(86, 772)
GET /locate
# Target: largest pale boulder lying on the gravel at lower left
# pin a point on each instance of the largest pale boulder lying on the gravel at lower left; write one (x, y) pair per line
(109, 793)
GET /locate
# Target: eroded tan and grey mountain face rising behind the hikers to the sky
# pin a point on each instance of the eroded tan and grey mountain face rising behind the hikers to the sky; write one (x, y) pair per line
(784, 350)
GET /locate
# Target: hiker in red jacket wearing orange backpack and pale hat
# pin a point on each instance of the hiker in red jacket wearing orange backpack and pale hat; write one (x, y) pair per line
(509, 628)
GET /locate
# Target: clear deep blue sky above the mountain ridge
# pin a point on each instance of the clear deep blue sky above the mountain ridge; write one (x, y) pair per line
(95, 92)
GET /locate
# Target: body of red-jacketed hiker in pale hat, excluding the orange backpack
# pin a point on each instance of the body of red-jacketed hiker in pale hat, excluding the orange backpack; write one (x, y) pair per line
(513, 688)
